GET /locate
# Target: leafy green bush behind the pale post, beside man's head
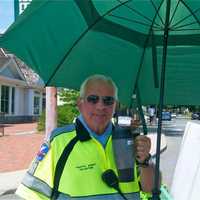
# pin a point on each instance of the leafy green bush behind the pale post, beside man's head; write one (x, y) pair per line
(66, 115)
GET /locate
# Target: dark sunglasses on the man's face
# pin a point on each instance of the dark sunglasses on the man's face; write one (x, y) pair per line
(107, 100)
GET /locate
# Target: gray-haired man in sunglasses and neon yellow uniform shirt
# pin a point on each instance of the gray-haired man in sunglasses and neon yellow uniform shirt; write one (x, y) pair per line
(72, 164)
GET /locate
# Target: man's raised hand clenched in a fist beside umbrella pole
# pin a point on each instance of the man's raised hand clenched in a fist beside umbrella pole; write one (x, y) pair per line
(142, 148)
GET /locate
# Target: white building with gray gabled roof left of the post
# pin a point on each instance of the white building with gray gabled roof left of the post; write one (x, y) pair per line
(22, 91)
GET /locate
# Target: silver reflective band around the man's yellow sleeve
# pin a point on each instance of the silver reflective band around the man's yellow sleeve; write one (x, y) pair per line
(37, 185)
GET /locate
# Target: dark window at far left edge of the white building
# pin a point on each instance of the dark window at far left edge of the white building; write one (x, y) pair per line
(5, 99)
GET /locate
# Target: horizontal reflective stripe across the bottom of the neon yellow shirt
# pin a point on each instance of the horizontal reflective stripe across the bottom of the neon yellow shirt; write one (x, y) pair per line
(130, 196)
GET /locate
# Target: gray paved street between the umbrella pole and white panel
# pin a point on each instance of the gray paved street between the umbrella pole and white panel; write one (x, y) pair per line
(173, 131)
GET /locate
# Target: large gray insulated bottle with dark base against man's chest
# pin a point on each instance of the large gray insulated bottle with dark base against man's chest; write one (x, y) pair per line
(123, 149)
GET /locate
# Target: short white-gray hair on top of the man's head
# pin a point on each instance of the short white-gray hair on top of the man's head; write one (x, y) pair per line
(98, 77)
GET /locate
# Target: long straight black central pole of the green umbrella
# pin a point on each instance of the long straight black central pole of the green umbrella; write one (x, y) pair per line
(156, 189)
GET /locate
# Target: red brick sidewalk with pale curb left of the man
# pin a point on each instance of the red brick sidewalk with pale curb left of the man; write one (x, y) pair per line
(18, 147)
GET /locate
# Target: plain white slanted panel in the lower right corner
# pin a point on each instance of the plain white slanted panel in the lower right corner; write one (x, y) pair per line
(186, 181)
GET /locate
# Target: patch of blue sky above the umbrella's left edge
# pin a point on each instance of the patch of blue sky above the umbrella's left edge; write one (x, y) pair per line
(6, 14)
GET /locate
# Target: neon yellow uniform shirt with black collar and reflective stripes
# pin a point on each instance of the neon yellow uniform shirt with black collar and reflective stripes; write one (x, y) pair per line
(81, 174)
